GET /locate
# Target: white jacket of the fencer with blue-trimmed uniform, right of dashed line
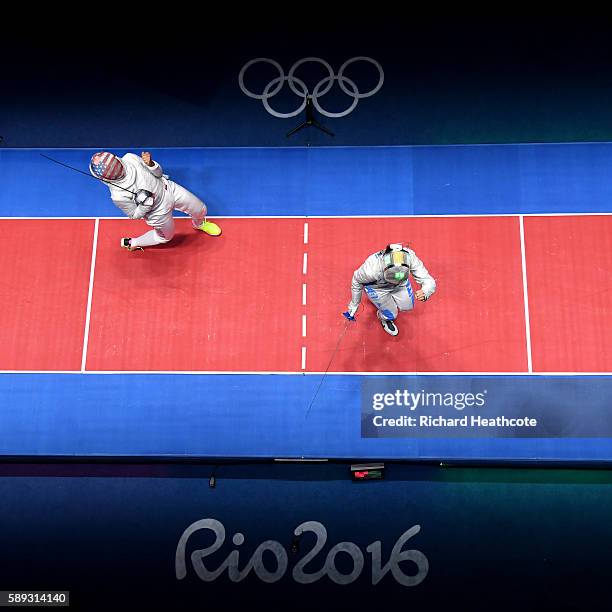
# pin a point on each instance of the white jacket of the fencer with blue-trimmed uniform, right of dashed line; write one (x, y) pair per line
(372, 273)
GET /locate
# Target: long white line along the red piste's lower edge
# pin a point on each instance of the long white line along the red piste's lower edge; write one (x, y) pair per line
(294, 373)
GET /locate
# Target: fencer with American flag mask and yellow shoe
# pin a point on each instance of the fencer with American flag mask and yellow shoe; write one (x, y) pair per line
(140, 189)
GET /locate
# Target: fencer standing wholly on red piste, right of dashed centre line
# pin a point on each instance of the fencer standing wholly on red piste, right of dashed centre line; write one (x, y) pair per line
(384, 276)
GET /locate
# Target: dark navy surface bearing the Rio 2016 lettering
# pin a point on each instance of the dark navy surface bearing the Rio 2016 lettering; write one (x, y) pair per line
(495, 539)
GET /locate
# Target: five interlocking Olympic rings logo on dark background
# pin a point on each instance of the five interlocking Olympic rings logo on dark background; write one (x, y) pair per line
(299, 88)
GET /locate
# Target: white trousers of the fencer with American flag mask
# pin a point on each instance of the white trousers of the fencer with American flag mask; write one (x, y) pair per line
(163, 224)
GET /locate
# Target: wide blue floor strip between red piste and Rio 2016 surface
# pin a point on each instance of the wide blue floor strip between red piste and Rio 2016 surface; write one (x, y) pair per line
(268, 417)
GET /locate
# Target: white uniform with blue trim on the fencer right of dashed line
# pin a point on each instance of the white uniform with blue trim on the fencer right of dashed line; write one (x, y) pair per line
(389, 298)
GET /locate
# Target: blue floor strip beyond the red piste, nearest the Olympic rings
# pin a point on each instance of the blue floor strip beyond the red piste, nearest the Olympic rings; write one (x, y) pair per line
(470, 179)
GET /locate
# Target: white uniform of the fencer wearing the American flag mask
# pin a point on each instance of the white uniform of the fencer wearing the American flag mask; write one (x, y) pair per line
(167, 196)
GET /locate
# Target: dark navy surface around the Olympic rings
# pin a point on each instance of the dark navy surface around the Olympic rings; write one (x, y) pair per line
(448, 79)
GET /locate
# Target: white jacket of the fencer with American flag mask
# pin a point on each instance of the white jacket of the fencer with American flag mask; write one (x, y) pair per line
(140, 176)
